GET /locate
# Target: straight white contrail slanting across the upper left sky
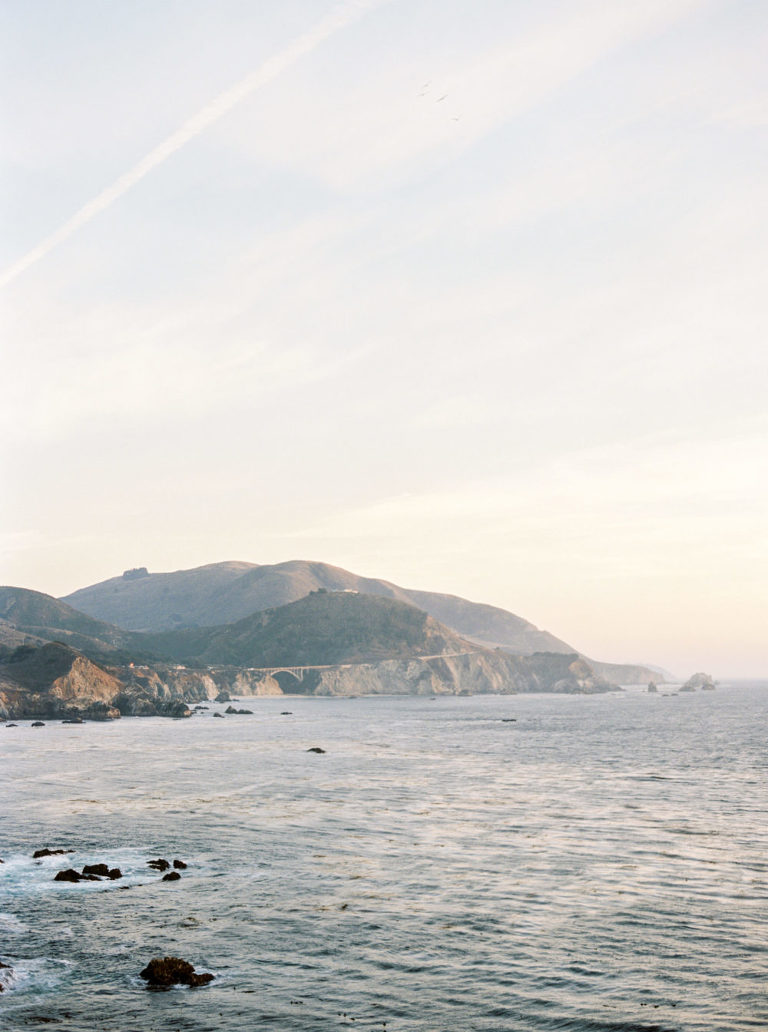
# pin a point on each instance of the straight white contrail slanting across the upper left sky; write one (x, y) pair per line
(337, 20)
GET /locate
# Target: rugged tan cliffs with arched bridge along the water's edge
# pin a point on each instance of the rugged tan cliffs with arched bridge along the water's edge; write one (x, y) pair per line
(56, 683)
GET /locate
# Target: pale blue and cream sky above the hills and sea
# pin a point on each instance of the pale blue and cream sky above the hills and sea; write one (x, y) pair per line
(471, 298)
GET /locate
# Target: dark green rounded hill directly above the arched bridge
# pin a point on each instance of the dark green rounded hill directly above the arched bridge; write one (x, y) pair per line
(325, 628)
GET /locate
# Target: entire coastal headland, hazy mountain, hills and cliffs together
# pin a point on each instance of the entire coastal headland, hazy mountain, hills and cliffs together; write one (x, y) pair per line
(153, 643)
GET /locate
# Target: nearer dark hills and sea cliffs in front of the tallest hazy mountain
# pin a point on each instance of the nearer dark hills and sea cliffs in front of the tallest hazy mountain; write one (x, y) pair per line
(334, 643)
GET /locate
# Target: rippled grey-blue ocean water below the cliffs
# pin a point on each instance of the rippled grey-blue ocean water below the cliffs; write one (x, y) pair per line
(490, 863)
